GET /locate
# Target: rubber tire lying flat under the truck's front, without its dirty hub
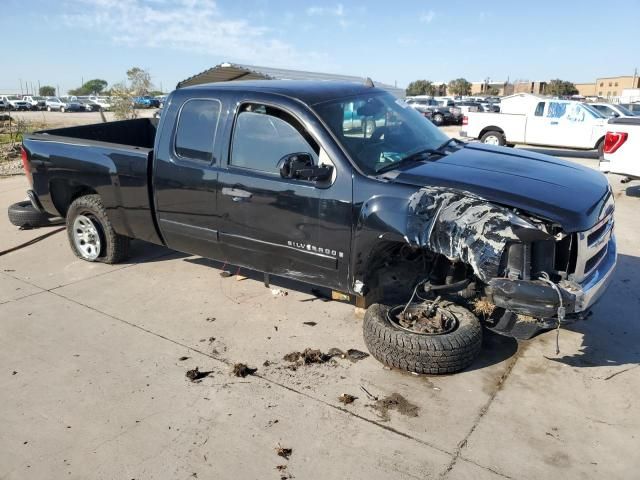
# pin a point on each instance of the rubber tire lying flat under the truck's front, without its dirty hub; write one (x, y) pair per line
(433, 354)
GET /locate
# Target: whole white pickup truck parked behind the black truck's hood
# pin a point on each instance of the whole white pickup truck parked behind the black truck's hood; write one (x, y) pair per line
(540, 121)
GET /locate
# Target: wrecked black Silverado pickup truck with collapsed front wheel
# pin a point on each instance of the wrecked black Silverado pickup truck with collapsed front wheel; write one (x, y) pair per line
(437, 237)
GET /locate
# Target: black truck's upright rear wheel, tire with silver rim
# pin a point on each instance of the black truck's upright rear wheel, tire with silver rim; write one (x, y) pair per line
(87, 222)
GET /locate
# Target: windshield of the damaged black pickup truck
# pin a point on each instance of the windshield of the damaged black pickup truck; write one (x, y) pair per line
(378, 130)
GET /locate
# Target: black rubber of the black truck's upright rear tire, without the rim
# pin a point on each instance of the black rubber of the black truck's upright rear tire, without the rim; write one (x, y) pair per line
(116, 246)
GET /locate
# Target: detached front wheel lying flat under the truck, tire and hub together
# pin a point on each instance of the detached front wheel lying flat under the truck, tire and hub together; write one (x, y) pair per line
(447, 342)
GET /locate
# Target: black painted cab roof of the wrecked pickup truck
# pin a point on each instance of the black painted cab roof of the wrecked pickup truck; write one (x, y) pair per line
(308, 91)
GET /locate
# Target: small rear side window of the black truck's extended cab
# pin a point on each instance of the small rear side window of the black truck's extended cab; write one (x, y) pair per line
(196, 130)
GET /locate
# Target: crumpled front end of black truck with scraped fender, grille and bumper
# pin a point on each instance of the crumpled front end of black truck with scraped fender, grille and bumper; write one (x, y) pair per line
(528, 275)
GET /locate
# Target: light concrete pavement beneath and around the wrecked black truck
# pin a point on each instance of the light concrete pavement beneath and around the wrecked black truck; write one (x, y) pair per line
(93, 381)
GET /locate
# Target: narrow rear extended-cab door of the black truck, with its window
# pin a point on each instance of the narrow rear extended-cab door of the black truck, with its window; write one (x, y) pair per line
(186, 174)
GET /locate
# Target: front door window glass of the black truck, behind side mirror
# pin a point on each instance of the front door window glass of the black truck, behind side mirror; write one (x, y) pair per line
(264, 134)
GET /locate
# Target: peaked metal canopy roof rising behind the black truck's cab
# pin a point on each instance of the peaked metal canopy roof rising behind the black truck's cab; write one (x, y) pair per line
(227, 72)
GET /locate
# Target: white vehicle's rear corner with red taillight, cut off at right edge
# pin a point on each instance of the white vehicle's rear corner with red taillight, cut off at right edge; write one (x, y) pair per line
(622, 149)
